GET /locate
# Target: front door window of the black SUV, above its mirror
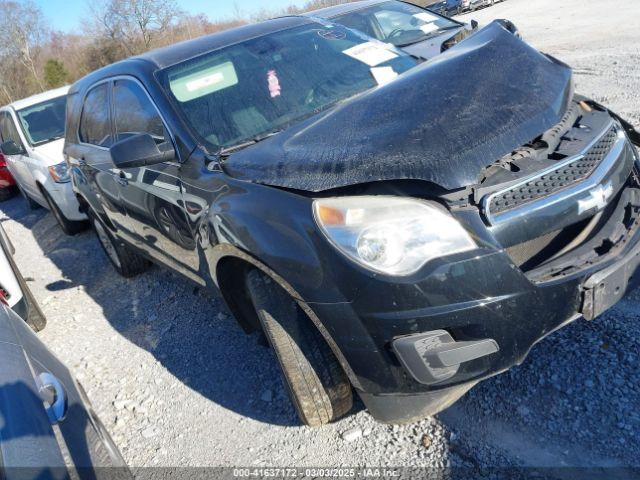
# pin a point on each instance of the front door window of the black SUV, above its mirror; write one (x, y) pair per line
(134, 113)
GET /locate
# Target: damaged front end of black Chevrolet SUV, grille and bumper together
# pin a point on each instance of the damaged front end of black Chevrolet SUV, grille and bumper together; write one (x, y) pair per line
(557, 222)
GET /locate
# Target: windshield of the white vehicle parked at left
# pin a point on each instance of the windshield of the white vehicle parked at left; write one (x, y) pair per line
(44, 122)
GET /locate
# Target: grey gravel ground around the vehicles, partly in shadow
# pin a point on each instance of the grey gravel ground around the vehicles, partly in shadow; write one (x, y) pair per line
(178, 384)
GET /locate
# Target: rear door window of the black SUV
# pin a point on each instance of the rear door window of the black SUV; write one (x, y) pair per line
(95, 126)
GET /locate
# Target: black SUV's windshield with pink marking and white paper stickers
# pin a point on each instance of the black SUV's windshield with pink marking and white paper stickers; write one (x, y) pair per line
(249, 90)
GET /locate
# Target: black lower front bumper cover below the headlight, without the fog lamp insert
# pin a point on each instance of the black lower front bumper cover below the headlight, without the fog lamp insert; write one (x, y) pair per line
(500, 304)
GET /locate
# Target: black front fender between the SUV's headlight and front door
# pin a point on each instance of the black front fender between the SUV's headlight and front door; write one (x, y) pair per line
(276, 227)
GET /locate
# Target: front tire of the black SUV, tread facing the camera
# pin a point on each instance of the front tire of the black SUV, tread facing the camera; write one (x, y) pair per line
(318, 387)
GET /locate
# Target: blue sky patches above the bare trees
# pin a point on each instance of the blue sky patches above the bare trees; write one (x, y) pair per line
(66, 15)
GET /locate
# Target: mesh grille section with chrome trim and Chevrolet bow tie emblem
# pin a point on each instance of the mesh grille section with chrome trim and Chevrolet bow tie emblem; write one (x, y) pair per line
(567, 204)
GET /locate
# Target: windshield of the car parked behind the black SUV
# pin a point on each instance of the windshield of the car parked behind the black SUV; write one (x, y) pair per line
(397, 23)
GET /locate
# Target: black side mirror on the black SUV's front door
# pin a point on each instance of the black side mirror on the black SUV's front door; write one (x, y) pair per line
(138, 150)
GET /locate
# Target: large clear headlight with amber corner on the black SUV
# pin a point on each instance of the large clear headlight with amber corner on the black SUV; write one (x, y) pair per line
(392, 235)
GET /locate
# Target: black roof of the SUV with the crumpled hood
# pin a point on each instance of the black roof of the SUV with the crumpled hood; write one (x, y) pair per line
(153, 60)
